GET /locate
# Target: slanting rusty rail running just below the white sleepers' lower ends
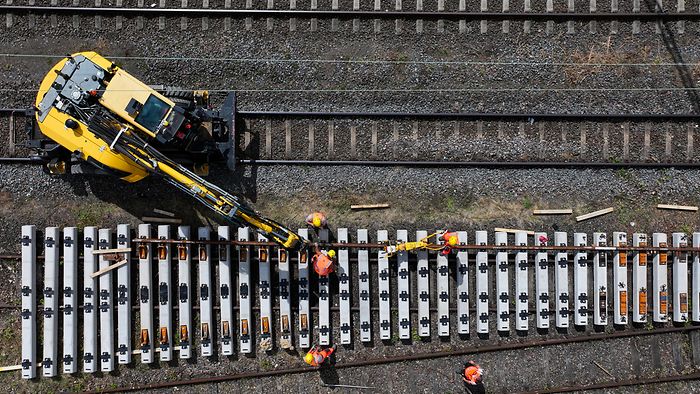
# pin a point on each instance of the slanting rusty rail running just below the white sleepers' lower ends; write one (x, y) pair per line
(405, 358)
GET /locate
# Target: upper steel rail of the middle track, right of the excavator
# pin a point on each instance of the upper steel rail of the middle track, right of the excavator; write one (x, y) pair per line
(468, 115)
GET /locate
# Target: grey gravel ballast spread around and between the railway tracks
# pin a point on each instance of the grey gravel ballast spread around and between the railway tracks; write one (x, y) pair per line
(466, 199)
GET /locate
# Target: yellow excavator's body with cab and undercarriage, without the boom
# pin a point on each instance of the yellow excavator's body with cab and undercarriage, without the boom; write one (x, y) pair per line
(86, 91)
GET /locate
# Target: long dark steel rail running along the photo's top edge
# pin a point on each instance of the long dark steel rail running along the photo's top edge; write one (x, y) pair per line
(357, 14)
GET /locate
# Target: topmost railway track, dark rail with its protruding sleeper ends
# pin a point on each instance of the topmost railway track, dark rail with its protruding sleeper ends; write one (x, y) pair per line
(635, 13)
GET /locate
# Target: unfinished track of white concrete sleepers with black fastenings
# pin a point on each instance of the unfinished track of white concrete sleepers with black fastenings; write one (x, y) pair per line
(366, 301)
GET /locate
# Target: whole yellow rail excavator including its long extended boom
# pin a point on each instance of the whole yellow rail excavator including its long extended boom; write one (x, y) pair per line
(94, 112)
